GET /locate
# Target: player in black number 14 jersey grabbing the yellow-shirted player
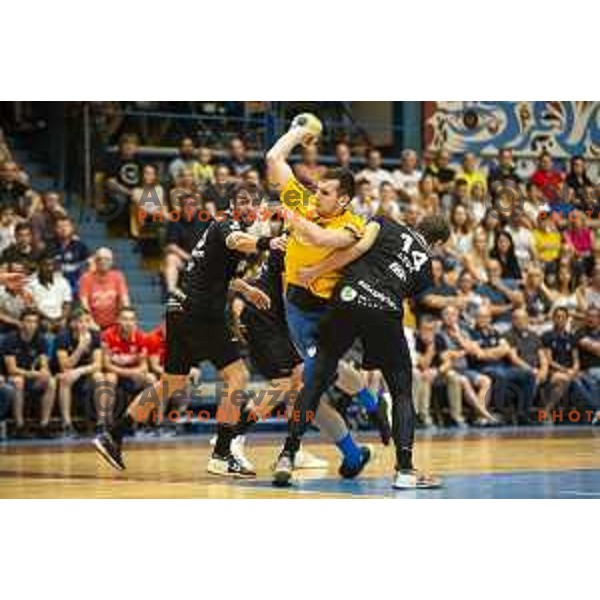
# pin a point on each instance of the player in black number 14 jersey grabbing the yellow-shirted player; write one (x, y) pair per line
(390, 263)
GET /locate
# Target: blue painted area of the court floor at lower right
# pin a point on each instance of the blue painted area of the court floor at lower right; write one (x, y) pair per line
(582, 483)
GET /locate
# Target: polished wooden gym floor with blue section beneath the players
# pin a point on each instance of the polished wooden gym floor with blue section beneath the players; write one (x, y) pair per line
(557, 462)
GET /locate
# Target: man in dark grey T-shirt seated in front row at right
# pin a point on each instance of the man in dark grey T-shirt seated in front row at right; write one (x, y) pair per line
(528, 350)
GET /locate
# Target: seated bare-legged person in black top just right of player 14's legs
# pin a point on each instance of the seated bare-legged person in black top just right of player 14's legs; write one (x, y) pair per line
(431, 373)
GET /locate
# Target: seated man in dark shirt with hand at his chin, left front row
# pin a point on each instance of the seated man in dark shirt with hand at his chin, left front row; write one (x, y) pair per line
(79, 359)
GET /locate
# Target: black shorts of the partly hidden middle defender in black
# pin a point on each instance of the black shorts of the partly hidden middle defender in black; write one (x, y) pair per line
(270, 346)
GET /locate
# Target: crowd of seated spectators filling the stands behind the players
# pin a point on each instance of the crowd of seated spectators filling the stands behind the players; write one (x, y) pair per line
(510, 324)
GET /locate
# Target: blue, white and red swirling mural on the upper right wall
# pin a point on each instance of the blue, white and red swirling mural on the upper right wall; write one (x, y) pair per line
(563, 128)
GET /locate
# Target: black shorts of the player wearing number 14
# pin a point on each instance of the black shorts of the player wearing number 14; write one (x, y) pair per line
(381, 334)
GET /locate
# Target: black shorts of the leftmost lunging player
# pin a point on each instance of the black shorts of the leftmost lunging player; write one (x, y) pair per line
(193, 338)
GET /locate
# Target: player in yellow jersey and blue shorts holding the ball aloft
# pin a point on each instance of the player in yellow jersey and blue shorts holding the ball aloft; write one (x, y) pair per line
(306, 304)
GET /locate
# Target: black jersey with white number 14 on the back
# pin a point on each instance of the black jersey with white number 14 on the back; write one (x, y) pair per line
(397, 266)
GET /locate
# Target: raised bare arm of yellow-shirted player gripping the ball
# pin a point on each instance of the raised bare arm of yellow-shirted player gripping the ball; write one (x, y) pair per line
(304, 129)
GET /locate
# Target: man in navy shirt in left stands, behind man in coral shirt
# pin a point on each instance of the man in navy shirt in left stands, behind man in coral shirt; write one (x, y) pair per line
(70, 252)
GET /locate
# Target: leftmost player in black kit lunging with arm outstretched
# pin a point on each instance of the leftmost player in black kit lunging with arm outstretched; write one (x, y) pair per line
(197, 330)
